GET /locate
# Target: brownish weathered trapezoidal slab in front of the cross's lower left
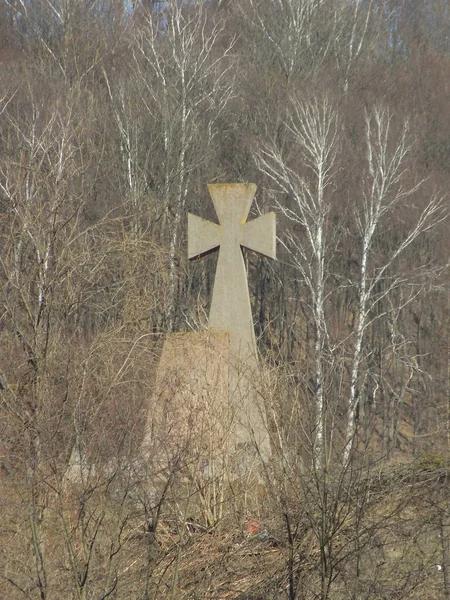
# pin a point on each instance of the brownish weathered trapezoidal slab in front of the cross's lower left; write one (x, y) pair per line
(191, 416)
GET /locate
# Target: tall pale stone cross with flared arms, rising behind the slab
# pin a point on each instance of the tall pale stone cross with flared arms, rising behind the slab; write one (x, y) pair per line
(230, 306)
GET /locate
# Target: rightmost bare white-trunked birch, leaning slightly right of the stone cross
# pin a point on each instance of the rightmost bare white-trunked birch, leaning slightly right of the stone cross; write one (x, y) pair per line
(385, 189)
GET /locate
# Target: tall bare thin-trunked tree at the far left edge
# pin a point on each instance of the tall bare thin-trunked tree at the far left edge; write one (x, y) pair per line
(41, 184)
